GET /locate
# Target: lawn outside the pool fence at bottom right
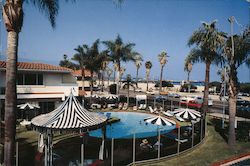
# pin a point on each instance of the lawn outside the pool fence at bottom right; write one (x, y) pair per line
(212, 150)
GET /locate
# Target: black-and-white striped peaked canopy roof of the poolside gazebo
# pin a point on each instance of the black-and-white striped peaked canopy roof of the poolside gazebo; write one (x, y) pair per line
(70, 115)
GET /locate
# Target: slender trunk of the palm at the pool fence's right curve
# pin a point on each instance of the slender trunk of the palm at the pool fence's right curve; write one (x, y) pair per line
(206, 89)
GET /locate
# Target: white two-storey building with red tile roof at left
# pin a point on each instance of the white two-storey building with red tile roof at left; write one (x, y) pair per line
(41, 84)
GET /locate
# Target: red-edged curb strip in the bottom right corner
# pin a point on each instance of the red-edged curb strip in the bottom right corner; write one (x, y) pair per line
(233, 160)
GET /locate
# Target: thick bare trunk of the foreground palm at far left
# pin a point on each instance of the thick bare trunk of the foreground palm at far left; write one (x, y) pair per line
(10, 99)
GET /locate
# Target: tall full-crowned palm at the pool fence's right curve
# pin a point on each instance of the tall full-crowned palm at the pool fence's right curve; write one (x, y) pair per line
(208, 41)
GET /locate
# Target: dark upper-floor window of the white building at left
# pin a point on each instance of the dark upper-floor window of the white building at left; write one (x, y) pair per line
(29, 79)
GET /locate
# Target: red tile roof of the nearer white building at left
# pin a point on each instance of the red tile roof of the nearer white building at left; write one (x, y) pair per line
(36, 66)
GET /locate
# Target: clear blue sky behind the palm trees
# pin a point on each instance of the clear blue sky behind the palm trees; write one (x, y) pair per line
(153, 25)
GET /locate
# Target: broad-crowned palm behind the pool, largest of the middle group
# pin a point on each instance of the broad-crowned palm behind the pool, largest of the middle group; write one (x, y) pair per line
(120, 52)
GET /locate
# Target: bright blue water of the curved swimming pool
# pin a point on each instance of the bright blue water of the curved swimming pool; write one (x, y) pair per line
(130, 123)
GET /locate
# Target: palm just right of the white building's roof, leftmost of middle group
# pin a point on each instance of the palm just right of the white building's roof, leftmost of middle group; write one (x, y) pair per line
(80, 59)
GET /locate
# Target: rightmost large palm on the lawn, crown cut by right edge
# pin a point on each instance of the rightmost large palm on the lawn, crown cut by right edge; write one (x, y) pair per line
(236, 53)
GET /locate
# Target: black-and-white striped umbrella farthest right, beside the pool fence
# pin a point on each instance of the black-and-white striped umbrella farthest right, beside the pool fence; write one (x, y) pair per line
(187, 113)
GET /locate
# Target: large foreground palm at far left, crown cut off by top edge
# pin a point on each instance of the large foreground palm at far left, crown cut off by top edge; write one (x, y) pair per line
(13, 19)
